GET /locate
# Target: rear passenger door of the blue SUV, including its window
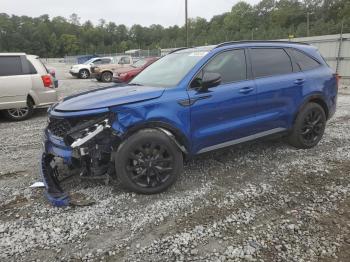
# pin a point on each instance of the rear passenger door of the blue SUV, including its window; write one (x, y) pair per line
(279, 85)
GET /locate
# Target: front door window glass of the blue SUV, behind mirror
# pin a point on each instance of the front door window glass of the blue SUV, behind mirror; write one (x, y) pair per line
(231, 65)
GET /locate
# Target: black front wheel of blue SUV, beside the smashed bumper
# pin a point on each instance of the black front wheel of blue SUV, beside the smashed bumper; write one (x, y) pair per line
(146, 171)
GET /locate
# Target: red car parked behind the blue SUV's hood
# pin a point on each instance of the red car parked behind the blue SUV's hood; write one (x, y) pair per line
(125, 75)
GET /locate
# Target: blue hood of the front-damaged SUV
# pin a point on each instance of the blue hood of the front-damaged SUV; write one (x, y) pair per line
(108, 97)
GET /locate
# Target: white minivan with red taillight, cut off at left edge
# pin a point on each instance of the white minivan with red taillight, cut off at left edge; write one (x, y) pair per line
(25, 84)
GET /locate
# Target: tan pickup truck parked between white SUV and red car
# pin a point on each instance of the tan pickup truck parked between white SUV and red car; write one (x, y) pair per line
(105, 72)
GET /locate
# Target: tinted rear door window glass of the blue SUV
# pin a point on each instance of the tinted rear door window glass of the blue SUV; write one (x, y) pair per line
(270, 61)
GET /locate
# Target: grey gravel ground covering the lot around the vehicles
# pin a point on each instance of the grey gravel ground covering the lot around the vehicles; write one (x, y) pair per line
(261, 201)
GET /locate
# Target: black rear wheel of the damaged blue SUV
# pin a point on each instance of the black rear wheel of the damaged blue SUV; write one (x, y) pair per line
(309, 127)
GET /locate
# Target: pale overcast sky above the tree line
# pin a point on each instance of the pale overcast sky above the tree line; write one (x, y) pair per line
(128, 12)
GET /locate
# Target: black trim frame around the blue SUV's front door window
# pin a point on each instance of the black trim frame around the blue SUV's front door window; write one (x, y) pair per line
(249, 75)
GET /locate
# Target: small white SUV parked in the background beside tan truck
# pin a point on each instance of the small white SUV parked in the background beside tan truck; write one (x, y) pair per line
(83, 71)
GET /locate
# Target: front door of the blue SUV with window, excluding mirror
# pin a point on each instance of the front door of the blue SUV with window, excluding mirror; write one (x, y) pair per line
(227, 112)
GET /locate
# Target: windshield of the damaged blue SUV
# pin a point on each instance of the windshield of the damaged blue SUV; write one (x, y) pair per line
(169, 70)
